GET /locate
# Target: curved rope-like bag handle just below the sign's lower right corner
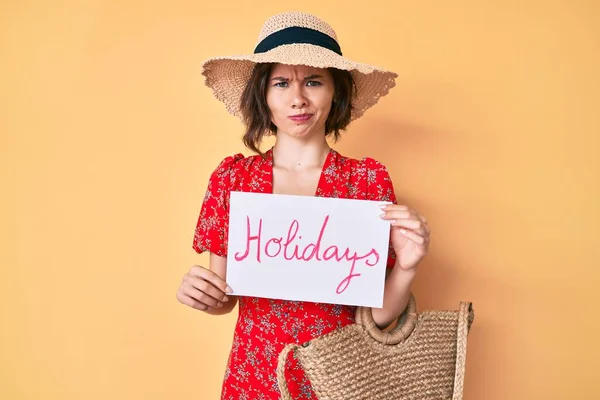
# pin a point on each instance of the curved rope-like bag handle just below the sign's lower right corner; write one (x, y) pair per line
(406, 323)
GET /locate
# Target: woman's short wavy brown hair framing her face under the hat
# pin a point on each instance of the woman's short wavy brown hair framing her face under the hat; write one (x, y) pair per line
(257, 115)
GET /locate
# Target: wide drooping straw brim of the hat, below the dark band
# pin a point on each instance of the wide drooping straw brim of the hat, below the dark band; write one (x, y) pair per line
(228, 76)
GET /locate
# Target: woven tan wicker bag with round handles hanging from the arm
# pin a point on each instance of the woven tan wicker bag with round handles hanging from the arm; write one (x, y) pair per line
(423, 357)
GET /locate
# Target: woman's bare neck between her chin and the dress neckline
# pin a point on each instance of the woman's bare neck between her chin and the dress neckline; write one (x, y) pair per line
(294, 154)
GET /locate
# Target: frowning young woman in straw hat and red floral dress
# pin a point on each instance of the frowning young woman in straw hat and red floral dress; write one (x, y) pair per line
(298, 87)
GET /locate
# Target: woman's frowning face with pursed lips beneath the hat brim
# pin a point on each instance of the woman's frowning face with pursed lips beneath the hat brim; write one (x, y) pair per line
(299, 98)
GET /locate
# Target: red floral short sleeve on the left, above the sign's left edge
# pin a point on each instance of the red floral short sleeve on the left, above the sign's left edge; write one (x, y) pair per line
(213, 223)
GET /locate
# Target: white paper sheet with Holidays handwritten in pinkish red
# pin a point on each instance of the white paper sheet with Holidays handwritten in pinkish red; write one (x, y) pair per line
(313, 249)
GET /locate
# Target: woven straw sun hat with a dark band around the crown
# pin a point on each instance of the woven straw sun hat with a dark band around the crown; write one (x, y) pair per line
(294, 38)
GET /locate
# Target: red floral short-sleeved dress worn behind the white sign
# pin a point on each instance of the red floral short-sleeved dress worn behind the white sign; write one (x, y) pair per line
(265, 326)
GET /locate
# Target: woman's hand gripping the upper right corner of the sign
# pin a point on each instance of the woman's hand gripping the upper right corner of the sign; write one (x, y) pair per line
(409, 235)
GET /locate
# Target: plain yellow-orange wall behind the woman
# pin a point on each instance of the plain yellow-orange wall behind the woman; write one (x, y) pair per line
(109, 137)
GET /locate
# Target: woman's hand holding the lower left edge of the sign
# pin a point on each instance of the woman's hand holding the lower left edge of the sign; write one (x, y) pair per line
(203, 290)
